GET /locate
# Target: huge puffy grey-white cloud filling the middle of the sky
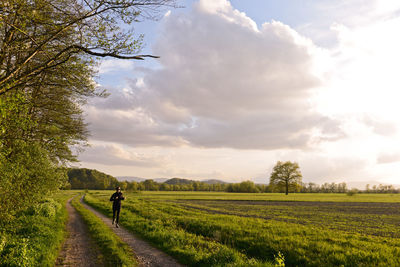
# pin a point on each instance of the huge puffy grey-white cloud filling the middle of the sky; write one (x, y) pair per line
(223, 83)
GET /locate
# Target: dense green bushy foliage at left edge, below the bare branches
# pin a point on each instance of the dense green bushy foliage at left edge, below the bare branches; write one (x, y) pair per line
(26, 170)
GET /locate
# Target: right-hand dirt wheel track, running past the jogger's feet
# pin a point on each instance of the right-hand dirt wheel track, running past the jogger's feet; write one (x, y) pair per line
(147, 255)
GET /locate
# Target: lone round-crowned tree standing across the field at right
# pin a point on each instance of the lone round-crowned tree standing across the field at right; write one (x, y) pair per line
(286, 175)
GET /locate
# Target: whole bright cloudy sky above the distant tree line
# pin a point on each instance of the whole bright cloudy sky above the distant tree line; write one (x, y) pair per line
(242, 84)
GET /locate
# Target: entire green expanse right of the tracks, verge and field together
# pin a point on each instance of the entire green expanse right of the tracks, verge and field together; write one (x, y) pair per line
(220, 229)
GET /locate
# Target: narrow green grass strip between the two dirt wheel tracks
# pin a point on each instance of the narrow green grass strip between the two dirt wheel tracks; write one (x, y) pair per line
(115, 252)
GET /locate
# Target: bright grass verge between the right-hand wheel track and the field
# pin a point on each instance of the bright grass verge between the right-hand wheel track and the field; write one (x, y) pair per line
(189, 248)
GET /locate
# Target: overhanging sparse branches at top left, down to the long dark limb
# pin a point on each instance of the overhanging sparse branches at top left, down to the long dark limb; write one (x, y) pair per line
(41, 35)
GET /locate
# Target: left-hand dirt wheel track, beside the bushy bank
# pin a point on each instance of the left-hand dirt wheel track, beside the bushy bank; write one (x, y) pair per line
(78, 249)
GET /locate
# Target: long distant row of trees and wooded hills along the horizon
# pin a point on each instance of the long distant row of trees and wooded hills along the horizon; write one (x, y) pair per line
(95, 180)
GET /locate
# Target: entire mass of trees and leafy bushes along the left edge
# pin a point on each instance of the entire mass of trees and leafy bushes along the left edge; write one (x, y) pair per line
(48, 54)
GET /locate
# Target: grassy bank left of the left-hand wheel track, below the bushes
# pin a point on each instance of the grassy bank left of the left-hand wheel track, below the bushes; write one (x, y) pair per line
(35, 236)
